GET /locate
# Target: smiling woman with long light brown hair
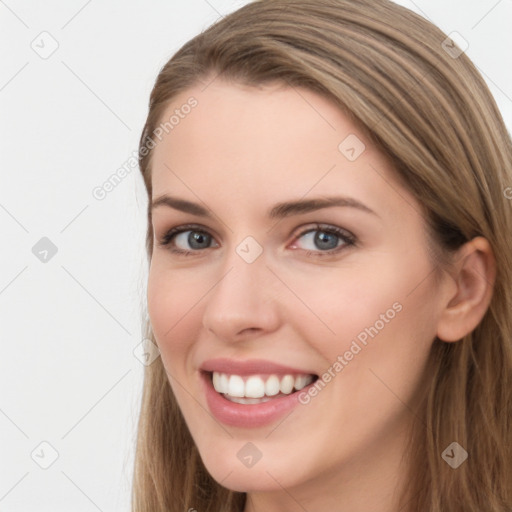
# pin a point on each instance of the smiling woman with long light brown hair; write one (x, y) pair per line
(330, 283)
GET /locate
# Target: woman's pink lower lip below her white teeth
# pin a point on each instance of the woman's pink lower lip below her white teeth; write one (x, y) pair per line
(248, 415)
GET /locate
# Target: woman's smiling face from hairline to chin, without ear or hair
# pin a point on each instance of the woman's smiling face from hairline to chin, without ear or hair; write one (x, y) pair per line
(299, 257)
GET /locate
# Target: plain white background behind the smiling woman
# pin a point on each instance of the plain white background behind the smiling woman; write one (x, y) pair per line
(69, 326)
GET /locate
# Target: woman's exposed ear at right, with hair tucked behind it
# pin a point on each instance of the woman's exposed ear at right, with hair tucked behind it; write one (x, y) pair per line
(473, 274)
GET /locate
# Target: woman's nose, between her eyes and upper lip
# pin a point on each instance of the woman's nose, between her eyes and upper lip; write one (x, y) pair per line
(243, 303)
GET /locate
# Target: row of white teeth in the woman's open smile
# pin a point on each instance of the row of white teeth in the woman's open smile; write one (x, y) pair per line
(256, 387)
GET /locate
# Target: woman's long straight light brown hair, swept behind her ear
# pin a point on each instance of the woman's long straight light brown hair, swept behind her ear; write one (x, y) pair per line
(430, 112)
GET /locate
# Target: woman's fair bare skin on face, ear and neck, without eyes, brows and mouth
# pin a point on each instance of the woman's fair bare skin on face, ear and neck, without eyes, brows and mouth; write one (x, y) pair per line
(240, 151)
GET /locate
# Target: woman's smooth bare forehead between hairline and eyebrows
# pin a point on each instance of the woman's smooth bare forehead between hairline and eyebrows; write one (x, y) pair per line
(261, 142)
